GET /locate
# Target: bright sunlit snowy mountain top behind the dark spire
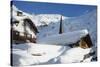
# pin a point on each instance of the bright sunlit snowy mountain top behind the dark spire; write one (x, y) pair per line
(48, 18)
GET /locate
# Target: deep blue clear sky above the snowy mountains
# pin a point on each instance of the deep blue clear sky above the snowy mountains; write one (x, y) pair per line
(70, 10)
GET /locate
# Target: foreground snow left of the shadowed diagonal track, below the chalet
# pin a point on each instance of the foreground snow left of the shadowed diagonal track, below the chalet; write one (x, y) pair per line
(36, 53)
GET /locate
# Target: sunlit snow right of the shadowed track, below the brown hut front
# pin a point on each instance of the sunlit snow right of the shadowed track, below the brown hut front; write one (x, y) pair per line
(74, 55)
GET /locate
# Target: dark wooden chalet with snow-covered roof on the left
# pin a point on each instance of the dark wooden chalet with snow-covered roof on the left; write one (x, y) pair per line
(23, 31)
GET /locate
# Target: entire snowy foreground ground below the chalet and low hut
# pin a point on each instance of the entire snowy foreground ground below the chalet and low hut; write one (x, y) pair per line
(47, 54)
